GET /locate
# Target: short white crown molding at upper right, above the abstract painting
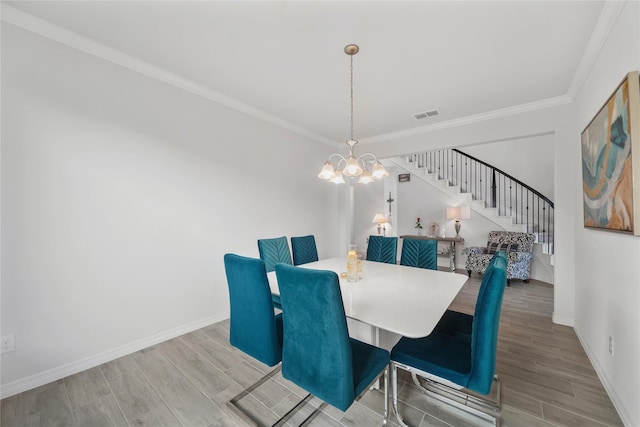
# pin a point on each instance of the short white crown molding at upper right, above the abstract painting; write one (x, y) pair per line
(608, 17)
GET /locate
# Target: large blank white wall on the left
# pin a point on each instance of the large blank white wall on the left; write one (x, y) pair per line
(120, 195)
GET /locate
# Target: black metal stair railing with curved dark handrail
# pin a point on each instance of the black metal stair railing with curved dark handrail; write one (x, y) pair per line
(508, 195)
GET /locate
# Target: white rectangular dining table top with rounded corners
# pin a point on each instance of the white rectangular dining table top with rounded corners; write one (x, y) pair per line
(405, 300)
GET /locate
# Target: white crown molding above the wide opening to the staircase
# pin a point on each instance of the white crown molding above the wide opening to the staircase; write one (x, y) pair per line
(490, 115)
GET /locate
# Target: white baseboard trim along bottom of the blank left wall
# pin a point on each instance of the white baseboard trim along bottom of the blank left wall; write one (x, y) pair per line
(33, 381)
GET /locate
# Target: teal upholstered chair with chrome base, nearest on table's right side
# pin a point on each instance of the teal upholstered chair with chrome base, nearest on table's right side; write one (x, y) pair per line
(461, 349)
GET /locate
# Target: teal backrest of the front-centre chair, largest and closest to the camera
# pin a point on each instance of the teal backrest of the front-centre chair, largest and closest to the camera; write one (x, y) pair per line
(317, 353)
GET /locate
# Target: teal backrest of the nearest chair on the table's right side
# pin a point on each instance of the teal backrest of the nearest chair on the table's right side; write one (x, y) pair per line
(486, 321)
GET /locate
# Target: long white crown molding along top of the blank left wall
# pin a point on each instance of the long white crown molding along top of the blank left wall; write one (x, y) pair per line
(61, 35)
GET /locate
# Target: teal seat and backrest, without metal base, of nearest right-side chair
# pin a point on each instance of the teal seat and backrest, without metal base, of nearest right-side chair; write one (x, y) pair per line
(462, 348)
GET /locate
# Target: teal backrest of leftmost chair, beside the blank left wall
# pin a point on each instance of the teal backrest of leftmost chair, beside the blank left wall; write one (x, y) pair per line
(253, 326)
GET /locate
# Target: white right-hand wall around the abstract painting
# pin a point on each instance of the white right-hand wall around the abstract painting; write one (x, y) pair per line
(607, 270)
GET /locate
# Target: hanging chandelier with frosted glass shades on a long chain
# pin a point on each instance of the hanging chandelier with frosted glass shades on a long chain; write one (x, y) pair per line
(353, 166)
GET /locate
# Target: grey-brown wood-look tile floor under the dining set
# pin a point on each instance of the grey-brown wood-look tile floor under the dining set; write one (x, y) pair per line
(547, 381)
